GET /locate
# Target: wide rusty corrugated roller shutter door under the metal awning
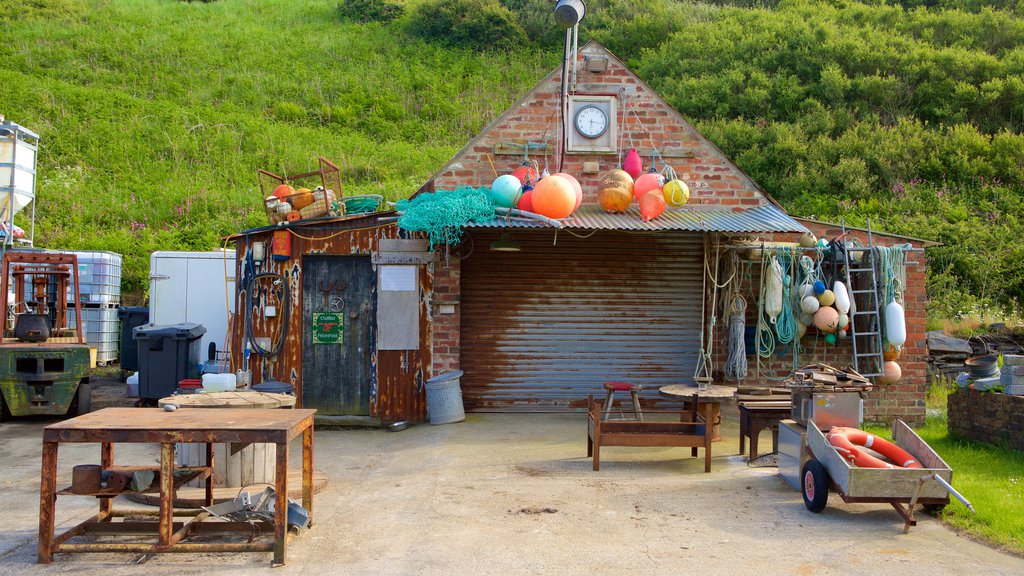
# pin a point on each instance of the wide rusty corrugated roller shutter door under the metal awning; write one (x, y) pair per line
(544, 327)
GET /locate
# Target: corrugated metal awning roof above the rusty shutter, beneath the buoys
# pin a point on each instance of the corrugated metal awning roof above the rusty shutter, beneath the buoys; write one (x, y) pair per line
(763, 219)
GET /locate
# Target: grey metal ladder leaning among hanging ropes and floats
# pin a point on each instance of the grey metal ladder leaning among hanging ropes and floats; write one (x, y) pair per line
(866, 322)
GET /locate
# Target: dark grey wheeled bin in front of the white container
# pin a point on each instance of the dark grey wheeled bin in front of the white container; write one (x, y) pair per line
(167, 355)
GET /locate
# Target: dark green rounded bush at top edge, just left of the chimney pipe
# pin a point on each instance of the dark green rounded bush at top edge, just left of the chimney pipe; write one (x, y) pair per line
(482, 25)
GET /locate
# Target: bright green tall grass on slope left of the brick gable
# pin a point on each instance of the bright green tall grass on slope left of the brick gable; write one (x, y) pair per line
(155, 116)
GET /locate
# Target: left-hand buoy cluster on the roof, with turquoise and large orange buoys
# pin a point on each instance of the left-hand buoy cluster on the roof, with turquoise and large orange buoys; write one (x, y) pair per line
(556, 196)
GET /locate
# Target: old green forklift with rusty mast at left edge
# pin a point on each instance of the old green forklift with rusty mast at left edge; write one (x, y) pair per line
(45, 363)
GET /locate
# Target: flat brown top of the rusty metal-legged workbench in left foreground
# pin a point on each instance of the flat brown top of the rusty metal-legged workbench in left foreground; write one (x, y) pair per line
(158, 426)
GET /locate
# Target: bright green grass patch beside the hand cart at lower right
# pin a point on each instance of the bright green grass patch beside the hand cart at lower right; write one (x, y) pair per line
(991, 477)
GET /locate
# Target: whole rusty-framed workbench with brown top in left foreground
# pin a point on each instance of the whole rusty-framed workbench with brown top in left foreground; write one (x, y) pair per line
(154, 426)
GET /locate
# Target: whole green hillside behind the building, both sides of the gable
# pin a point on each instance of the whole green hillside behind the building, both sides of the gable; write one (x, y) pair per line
(157, 114)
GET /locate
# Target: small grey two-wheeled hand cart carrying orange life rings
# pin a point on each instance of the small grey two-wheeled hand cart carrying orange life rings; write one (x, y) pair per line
(903, 488)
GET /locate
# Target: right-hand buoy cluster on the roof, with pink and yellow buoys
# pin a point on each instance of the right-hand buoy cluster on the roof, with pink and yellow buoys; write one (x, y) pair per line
(654, 192)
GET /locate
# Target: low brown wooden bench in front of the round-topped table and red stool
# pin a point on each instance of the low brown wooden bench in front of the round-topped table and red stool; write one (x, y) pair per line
(692, 431)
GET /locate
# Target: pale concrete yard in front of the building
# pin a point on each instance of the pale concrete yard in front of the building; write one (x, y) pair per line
(516, 495)
